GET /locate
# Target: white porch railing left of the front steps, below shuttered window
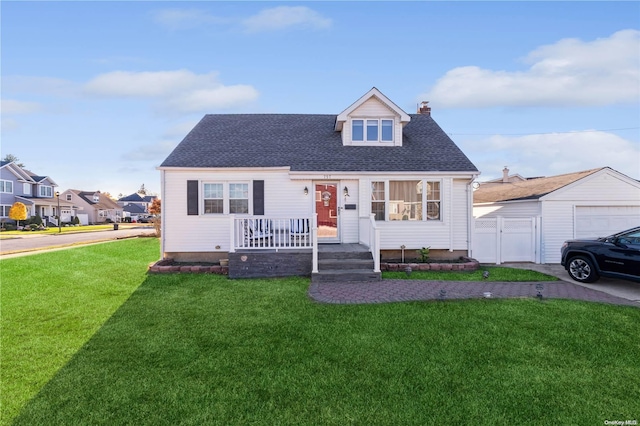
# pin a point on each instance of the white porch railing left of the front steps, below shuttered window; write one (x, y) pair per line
(272, 233)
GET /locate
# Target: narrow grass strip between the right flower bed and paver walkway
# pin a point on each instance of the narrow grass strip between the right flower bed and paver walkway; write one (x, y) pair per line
(496, 273)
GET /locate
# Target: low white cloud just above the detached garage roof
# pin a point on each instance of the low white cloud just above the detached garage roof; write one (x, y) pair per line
(553, 154)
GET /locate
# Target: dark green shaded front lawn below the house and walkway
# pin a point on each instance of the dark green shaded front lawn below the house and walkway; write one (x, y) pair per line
(201, 349)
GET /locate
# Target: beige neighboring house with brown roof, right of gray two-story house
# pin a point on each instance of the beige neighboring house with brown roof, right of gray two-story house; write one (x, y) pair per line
(93, 206)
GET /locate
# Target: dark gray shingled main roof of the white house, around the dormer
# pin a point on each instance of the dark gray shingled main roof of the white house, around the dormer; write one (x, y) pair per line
(310, 143)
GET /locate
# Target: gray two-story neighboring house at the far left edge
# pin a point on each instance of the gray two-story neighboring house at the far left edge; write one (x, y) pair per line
(38, 193)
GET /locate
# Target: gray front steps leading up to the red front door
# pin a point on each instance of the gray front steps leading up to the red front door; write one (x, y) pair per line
(345, 263)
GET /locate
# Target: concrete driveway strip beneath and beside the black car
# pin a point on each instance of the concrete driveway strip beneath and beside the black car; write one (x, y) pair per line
(620, 288)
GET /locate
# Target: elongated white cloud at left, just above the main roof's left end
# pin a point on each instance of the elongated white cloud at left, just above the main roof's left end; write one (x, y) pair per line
(181, 90)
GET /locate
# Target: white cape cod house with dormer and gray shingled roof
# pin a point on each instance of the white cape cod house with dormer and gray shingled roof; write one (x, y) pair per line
(270, 191)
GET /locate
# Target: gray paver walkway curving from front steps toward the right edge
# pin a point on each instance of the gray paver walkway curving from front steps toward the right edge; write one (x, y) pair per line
(411, 290)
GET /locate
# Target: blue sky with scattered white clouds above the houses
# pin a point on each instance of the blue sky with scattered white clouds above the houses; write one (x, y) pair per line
(96, 94)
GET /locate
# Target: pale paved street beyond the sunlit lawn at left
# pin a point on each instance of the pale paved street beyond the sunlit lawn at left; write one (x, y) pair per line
(28, 243)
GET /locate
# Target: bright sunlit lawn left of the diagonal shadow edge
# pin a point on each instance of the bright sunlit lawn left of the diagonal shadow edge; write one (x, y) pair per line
(52, 303)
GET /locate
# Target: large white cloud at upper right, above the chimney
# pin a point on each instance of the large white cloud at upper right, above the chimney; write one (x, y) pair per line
(570, 72)
